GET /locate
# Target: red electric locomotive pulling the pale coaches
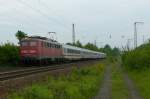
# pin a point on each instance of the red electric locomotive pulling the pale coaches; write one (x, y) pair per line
(39, 49)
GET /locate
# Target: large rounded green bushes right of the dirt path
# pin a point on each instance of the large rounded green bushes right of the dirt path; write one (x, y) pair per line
(137, 58)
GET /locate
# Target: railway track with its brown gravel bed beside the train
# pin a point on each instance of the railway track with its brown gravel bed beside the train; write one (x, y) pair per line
(17, 79)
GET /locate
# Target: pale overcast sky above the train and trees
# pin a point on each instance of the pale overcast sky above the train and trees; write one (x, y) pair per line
(94, 19)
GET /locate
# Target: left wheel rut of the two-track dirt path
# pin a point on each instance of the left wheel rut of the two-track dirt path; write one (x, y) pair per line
(105, 90)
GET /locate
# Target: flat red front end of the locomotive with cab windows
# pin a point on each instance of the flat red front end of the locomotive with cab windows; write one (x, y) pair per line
(30, 51)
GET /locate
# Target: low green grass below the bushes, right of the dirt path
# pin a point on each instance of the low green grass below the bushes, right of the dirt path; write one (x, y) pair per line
(141, 79)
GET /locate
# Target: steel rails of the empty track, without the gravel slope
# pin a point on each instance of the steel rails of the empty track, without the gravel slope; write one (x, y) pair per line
(24, 72)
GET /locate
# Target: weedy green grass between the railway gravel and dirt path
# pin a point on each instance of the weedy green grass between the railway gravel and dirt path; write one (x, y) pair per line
(80, 84)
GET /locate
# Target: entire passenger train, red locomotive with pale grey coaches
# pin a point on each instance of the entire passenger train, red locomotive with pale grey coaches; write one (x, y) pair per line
(41, 50)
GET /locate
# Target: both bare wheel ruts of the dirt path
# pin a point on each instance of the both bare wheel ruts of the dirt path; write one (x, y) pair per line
(105, 89)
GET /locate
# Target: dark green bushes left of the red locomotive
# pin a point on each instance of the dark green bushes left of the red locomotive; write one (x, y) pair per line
(9, 54)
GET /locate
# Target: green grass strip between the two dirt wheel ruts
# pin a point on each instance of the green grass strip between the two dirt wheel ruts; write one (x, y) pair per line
(119, 89)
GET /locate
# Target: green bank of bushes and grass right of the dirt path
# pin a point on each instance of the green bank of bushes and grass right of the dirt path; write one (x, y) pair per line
(137, 63)
